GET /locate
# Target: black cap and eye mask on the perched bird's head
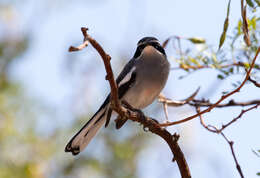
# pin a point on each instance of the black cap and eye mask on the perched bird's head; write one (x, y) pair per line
(148, 41)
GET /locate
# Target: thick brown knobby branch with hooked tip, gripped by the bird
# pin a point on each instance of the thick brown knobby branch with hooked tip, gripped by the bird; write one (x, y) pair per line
(133, 114)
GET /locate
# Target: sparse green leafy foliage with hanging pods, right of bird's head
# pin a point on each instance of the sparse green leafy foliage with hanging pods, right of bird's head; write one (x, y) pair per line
(234, 59)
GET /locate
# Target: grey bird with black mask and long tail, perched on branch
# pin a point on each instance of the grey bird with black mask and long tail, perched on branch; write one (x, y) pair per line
(139, 83)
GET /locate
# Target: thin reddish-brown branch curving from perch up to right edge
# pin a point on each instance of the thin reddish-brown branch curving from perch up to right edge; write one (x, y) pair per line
(220, 100)
